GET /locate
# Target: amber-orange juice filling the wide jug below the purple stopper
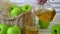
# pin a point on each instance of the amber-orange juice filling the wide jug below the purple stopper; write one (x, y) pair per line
(46, 15)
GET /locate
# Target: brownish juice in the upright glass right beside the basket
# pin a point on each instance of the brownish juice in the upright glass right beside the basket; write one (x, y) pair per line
(28, 18)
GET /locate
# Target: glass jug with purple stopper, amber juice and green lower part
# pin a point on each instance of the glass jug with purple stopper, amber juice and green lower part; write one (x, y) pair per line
(45, 13)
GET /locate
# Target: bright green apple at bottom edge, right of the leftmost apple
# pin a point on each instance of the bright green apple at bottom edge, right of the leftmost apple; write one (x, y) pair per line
(14, 30)
